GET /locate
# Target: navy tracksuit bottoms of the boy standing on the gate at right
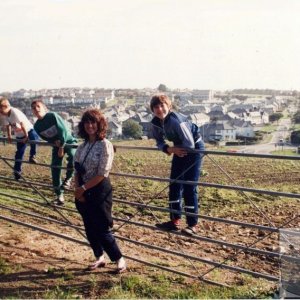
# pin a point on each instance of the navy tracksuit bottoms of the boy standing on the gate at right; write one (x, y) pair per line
(185, 168)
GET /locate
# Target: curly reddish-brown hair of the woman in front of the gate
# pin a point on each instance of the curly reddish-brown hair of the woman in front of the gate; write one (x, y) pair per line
(93, 115)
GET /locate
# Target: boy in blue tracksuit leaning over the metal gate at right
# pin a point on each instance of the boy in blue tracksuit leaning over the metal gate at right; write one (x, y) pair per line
(185, 136)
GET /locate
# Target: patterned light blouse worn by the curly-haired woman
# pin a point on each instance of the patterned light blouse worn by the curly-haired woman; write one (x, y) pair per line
(98, 160)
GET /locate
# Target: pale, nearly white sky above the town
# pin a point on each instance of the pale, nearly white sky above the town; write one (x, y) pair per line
(202, 44)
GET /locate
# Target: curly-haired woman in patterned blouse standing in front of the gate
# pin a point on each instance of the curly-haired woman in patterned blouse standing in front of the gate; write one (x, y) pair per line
(93, 190)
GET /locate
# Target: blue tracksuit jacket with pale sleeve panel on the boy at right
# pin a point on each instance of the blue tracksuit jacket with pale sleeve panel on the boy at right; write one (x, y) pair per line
(176, 128)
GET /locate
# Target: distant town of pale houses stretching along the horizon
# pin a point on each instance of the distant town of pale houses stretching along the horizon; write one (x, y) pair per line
(222, 116)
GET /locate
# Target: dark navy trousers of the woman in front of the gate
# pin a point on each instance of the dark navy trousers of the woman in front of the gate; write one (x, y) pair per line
(97, 219)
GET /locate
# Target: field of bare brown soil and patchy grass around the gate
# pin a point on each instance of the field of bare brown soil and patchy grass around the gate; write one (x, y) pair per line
(63, 279)
